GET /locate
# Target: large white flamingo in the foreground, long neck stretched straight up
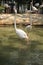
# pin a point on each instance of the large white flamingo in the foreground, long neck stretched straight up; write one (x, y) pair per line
(21, 33)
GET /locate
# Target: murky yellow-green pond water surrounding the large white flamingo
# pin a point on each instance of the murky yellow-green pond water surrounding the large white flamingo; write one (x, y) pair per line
(14, 51)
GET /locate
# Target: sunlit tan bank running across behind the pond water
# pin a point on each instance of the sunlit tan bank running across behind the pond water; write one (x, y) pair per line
(21, 18)
